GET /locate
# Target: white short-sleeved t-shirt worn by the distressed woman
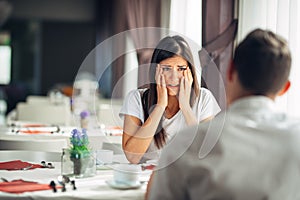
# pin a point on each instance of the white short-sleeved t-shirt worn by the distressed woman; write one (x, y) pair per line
(205, 106)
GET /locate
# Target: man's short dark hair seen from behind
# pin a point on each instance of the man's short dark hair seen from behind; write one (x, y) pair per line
(263, 62)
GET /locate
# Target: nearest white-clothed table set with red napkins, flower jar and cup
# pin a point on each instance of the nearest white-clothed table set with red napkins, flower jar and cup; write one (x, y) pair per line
(78, 162)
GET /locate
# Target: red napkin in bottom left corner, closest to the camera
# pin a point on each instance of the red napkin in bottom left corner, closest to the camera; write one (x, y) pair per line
(20, 186)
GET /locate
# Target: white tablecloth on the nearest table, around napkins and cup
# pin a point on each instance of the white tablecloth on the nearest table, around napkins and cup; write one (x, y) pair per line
(87, 188)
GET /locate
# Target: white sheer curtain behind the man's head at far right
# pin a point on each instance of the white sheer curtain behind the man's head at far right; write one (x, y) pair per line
(282, 17)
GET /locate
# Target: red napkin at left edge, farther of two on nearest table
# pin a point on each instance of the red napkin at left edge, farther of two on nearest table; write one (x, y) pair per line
(18, 165)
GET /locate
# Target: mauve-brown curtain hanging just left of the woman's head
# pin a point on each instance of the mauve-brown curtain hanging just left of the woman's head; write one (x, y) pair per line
(139, 14)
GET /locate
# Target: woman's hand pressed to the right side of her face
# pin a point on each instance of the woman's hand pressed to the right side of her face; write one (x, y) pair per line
(185, 89)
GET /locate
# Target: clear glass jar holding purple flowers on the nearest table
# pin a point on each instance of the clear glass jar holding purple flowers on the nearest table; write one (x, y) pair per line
(78, 165)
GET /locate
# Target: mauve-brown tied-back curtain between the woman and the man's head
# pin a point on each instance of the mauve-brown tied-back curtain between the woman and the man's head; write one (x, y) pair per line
(218, 33)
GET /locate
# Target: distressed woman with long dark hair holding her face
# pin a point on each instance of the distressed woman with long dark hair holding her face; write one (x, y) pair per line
(173, 100)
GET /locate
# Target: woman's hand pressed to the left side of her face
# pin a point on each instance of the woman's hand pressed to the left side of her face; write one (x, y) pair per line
(162, 93)
